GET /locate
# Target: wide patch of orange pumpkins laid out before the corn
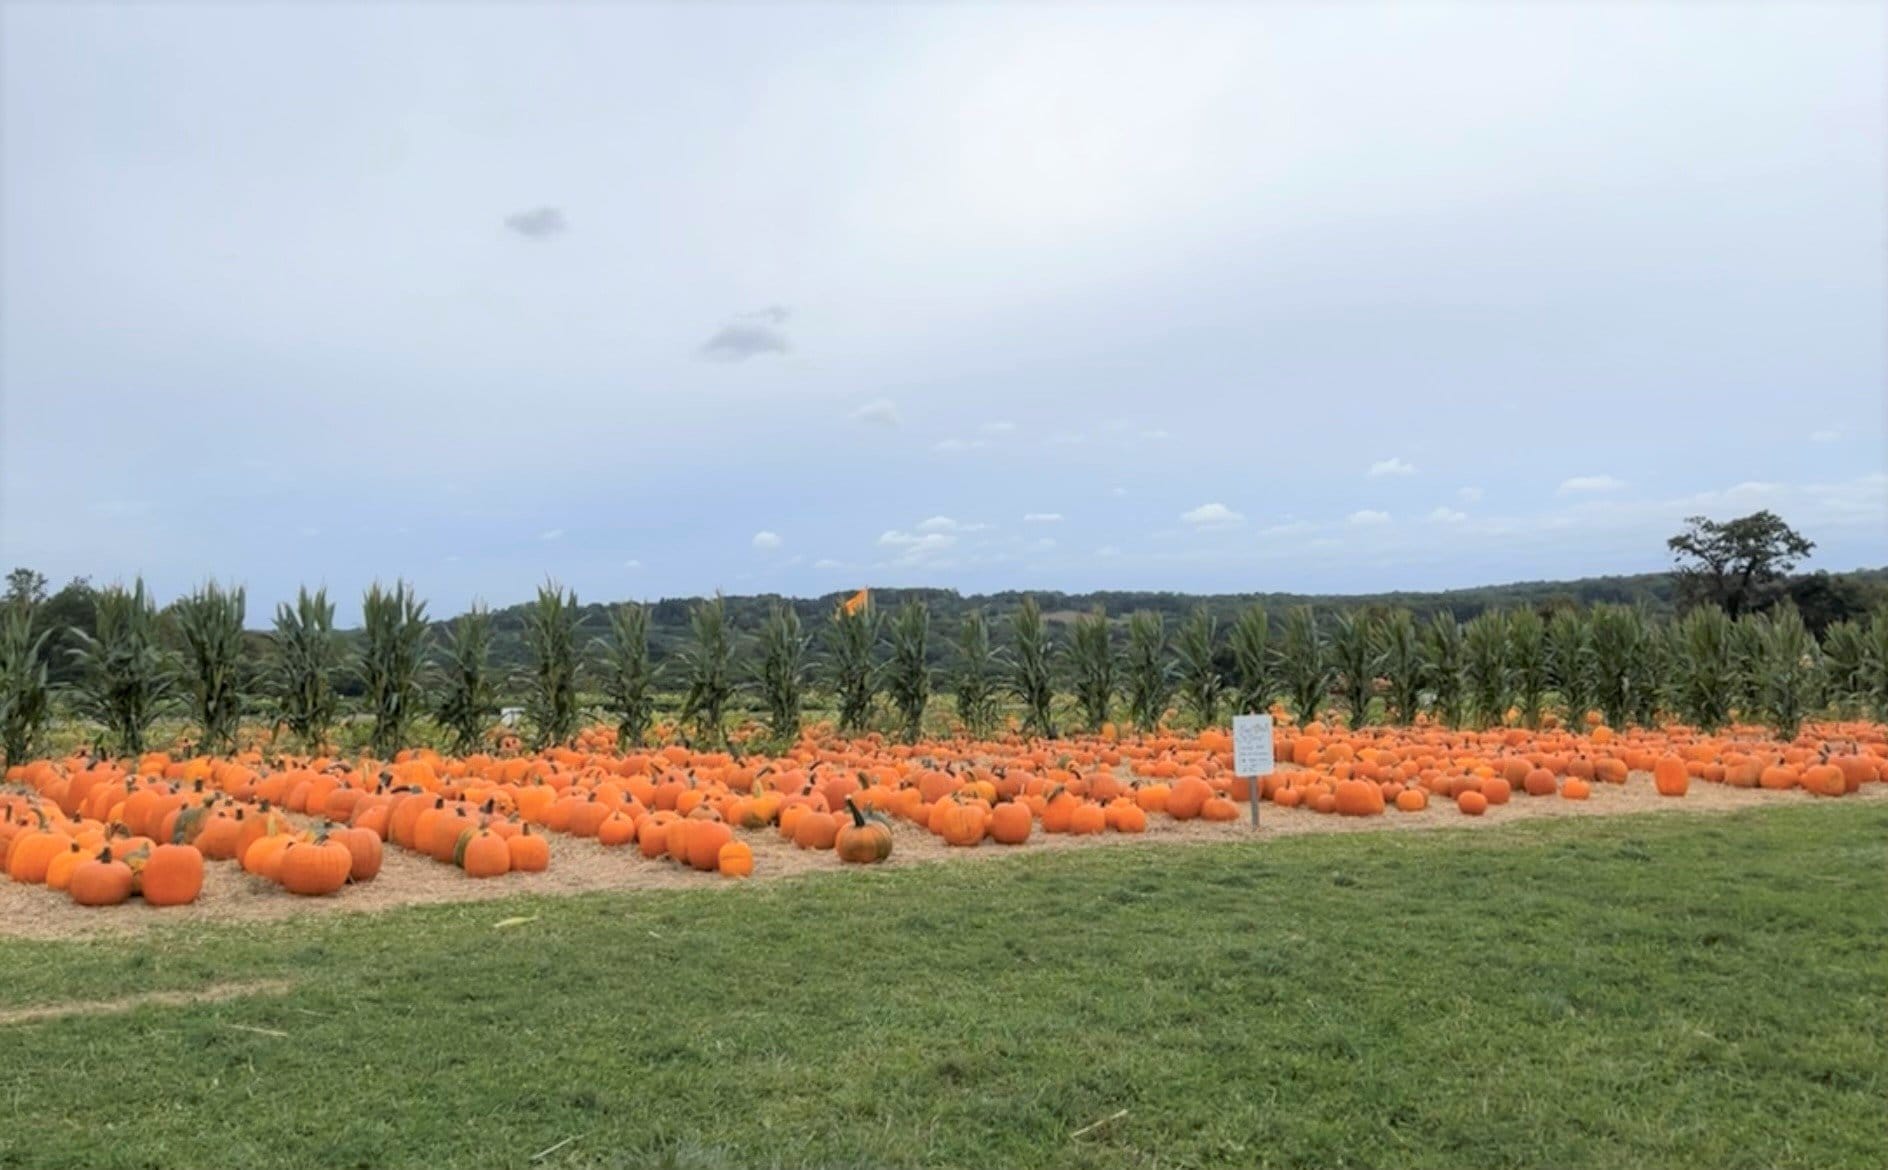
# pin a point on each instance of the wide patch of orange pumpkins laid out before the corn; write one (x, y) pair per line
(109, 831)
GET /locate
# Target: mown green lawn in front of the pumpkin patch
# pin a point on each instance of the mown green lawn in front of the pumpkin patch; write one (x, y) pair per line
(1636, 992)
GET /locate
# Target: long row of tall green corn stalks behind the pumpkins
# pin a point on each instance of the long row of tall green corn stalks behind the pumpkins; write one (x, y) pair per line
(1611, 663)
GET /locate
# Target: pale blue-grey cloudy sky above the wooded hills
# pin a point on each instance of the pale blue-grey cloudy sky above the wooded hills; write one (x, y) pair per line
(664, 299)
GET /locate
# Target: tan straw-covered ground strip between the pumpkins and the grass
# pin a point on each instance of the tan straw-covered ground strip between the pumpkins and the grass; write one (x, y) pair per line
(584, 865)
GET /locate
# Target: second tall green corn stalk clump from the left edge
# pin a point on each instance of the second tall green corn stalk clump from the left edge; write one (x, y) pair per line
(124, 675)
